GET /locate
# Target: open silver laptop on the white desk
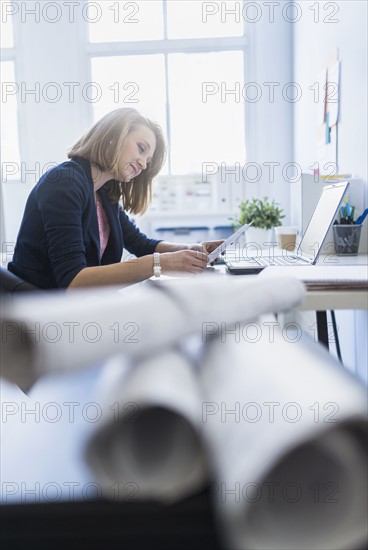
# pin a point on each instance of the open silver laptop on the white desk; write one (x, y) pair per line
(311, 243)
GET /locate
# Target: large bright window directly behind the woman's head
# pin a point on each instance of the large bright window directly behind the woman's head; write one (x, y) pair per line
(179, 65)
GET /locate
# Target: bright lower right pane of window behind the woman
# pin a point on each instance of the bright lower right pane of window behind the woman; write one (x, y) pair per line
(204, 128)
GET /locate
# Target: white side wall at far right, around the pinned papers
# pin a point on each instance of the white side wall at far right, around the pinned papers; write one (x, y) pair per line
(314, 43)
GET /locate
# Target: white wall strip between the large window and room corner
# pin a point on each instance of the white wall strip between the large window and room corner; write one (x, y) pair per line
(270, 120)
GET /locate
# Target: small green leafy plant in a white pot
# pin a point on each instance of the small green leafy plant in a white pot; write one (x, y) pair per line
(265, 215)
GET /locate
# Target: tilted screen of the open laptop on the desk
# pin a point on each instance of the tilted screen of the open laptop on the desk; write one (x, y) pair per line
(323, 217)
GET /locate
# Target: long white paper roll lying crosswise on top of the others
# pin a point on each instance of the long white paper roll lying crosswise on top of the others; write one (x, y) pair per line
(55, 332)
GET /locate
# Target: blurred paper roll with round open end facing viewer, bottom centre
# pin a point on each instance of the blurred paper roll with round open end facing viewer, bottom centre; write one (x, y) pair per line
(152, 443)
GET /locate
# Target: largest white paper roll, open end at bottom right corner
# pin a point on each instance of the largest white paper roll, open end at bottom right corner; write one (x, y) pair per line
(286, 427)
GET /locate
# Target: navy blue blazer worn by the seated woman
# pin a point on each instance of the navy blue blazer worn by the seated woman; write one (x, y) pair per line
(59, 233)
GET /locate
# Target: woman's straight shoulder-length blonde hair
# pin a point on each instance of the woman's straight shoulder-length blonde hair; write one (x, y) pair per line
(103, 144)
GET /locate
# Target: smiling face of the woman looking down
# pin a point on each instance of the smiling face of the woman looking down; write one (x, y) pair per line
(138, 152)
